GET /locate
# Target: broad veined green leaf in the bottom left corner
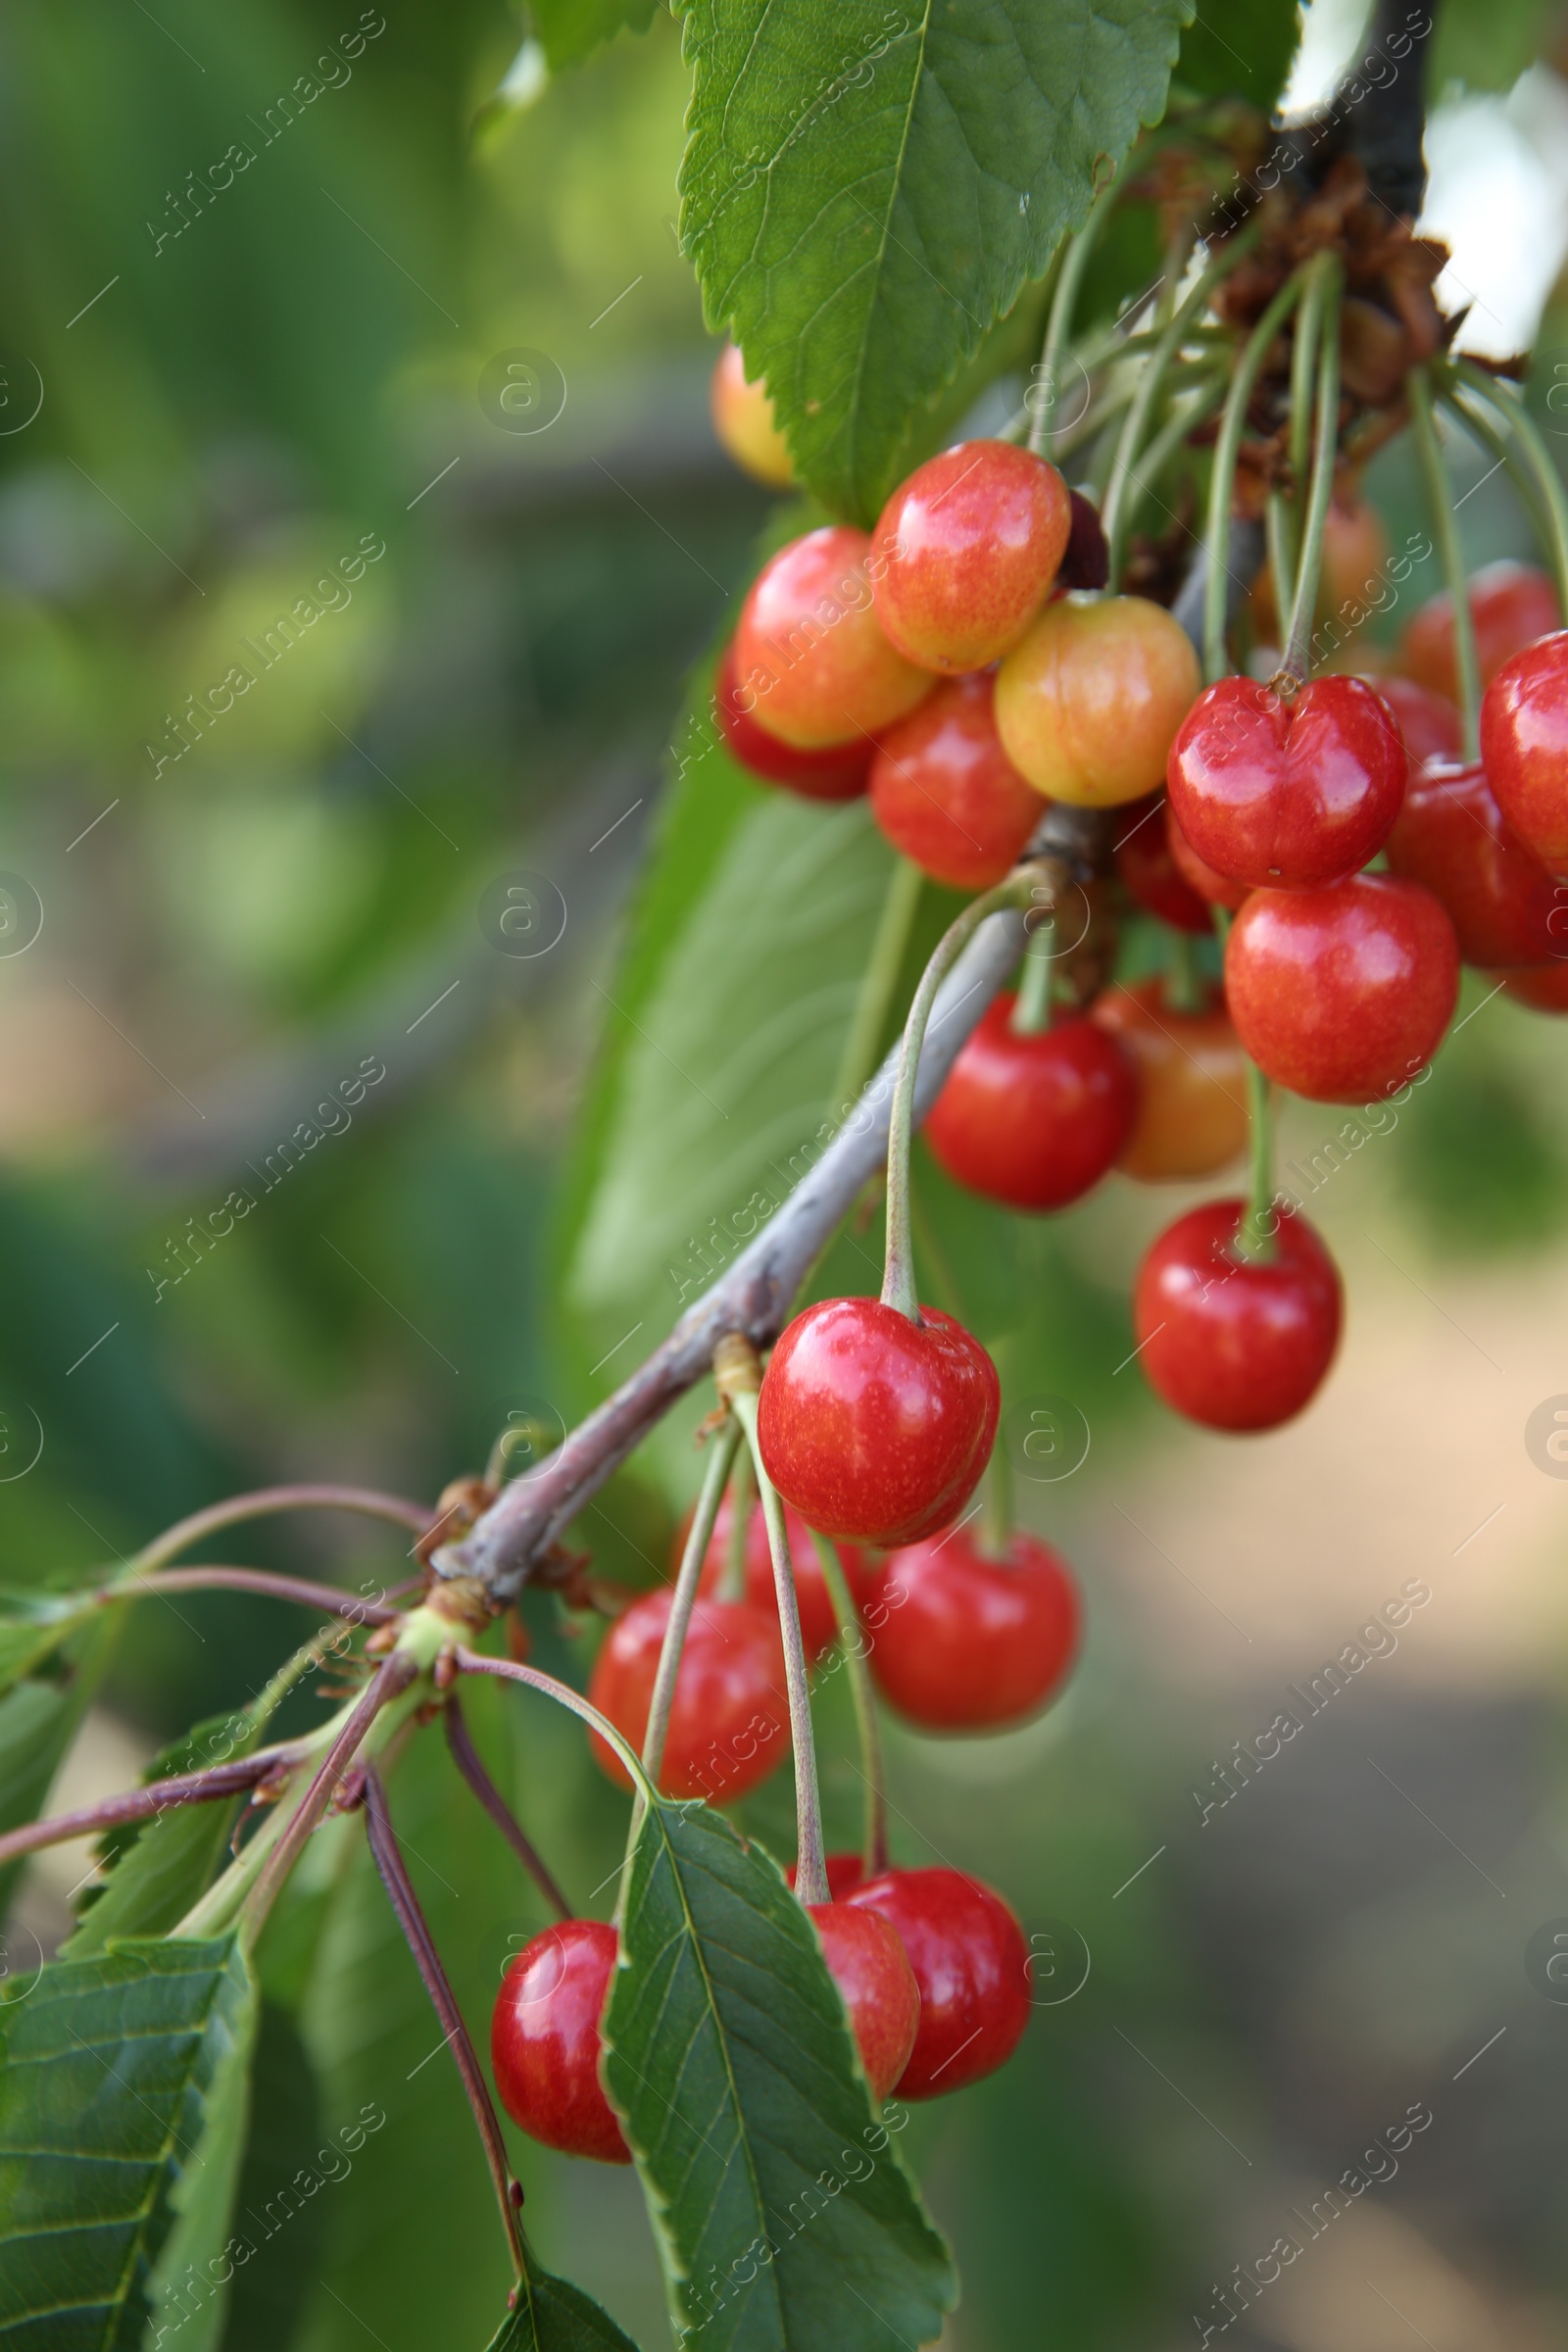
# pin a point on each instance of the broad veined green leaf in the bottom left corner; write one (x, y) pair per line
(121, 2116)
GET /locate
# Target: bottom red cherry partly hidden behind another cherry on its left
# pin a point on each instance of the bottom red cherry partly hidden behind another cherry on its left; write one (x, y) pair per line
(972, 1967)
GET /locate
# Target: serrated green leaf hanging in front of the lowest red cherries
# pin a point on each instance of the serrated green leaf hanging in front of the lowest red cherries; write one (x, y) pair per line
(784, 2212)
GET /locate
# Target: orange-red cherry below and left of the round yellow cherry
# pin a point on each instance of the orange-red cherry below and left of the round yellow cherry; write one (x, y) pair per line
(949, 796)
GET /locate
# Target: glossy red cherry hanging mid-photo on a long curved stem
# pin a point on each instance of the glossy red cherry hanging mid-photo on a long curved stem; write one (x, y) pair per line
(873, 1426)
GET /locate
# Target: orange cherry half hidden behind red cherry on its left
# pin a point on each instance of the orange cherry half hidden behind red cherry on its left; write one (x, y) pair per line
(1191, 1081)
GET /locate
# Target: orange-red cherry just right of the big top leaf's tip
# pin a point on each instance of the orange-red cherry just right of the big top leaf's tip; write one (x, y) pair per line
(965, 552)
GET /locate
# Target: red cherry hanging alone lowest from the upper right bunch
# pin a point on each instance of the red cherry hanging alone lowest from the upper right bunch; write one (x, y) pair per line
(1233, 1342)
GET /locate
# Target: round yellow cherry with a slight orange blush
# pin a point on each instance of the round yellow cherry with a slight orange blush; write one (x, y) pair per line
(1090, 702)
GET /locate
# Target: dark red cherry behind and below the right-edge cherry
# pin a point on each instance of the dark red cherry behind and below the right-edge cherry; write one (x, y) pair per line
(1454, 838)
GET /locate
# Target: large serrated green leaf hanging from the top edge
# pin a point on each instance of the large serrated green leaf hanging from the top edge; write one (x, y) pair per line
(869, 192)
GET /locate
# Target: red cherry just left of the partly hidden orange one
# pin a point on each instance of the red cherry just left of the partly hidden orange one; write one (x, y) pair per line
(1033, 1121)
